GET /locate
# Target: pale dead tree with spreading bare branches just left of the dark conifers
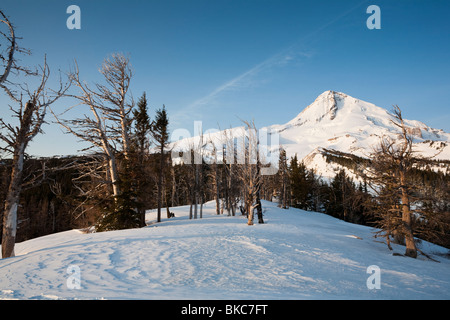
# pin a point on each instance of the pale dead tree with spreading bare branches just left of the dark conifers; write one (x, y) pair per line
(109, 121)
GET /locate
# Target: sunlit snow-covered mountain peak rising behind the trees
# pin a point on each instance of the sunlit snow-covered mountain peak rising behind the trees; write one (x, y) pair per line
(336, 121)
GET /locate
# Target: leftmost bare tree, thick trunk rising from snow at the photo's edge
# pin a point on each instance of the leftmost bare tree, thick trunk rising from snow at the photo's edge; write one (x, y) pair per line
(30, 110)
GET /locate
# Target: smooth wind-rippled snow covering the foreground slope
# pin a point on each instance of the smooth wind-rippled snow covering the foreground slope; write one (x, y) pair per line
(295, 255)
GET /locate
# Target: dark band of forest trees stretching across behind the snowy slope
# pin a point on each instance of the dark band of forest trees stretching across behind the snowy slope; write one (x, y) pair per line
(73, 192)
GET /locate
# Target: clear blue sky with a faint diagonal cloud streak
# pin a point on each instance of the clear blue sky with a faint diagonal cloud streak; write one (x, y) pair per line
(219, 61)
